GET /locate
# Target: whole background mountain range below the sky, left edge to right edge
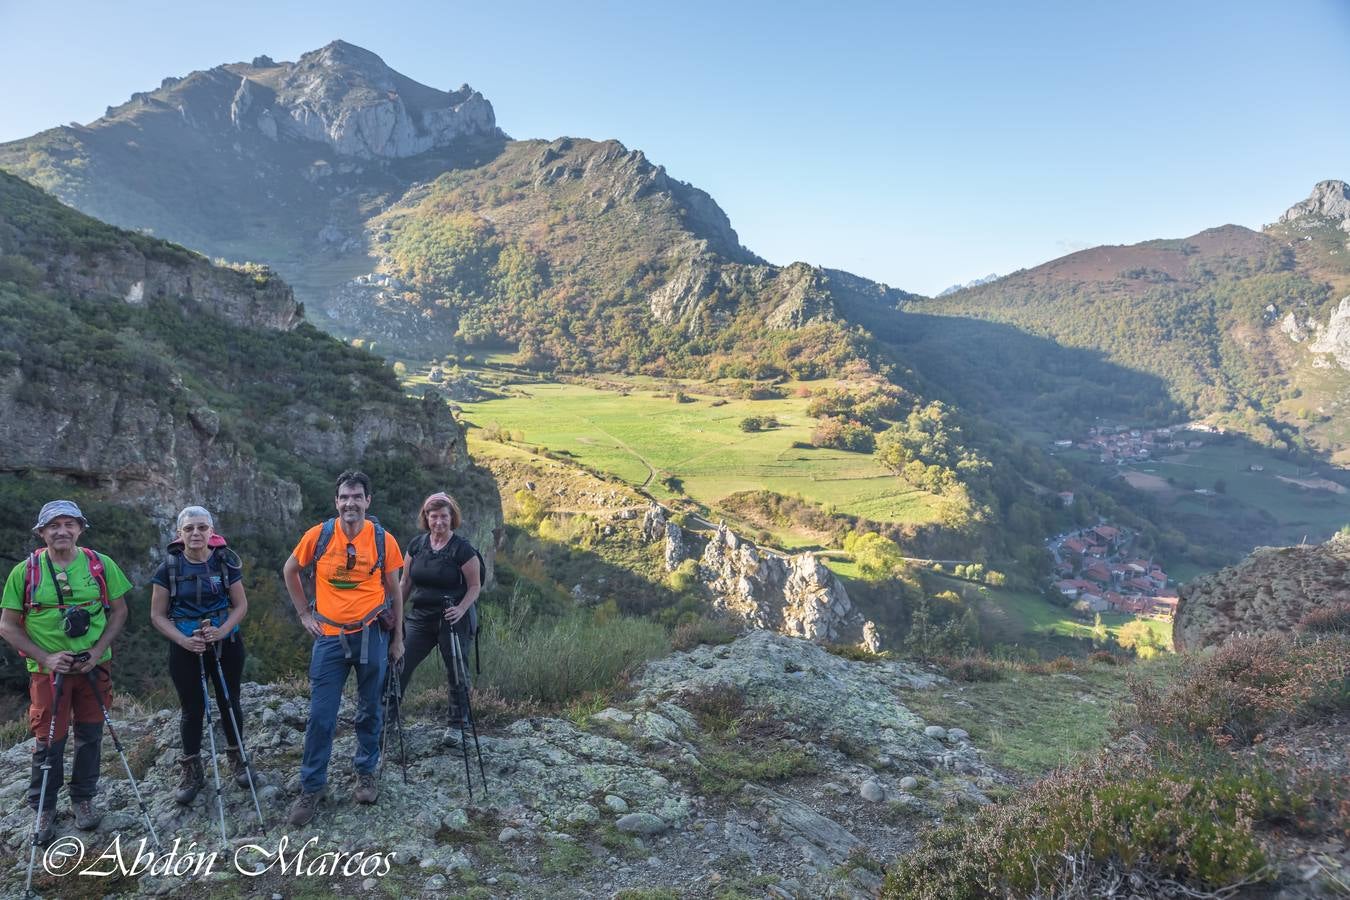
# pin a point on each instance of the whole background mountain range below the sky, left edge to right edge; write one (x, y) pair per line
(404, 217)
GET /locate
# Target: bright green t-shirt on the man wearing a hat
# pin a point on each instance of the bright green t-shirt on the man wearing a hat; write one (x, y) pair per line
(44, 621)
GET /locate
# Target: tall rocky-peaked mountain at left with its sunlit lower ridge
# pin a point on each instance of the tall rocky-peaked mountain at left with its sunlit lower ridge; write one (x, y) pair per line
(403, 214)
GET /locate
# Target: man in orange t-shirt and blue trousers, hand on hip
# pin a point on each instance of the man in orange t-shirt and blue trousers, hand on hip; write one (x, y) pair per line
(357, 602)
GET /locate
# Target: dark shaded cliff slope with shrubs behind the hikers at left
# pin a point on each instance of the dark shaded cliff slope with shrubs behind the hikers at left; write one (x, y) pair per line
(138, 369)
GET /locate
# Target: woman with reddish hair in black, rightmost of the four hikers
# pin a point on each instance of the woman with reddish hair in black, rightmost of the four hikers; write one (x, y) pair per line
(441, 582)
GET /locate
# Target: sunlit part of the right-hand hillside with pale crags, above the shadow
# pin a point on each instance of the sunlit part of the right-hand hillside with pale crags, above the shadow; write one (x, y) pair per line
(1229, 316)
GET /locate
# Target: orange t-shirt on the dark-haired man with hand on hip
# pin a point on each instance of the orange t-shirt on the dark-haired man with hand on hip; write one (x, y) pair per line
(342, 594)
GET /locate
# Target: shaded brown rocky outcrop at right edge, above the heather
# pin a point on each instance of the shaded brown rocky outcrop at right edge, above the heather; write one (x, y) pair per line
(1270, 592)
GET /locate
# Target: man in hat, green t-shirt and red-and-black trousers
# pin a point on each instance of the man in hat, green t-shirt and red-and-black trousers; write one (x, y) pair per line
(63, 602)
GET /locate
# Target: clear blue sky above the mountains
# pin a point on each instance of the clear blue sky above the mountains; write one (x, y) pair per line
(919, 145)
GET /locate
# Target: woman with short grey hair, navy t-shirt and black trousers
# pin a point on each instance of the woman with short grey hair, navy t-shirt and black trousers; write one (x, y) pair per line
(198, 601)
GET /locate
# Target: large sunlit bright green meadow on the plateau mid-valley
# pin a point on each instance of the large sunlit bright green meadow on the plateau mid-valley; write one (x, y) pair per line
(646, 439)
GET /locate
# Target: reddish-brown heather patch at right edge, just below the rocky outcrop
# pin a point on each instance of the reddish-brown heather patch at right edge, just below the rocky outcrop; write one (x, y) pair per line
(1248, 686)
